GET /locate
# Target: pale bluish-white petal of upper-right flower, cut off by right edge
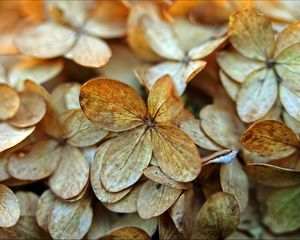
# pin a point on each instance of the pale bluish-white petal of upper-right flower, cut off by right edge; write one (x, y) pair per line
(291, 101)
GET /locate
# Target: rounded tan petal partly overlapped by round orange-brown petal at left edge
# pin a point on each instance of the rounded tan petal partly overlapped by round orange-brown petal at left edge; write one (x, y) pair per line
(31, 110)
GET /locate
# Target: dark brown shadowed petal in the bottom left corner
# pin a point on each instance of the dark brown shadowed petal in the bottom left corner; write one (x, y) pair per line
(26, 228)
